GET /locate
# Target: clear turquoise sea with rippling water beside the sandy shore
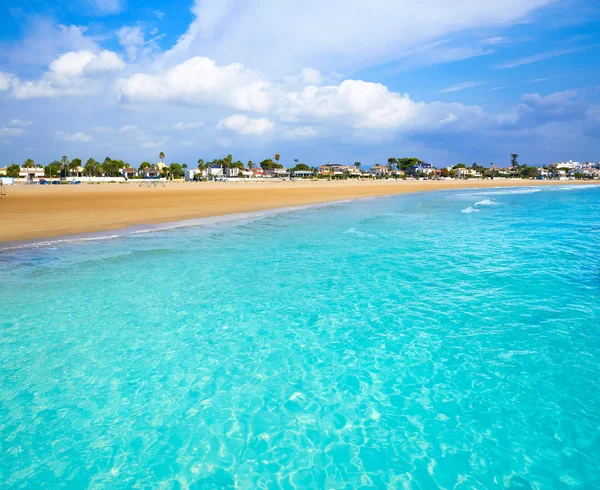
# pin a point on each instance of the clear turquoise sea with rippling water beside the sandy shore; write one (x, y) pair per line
(442, 340)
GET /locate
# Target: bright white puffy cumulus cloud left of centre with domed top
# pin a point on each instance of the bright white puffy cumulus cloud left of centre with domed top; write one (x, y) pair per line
(200, 80)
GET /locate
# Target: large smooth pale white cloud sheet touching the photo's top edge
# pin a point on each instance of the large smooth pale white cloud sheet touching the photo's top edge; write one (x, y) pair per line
(339, 35)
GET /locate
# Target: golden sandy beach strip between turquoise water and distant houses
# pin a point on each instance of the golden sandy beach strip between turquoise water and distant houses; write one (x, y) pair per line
(34, 212)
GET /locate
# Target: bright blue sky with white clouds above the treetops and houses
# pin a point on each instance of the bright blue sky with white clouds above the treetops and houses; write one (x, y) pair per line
(341, 81)
